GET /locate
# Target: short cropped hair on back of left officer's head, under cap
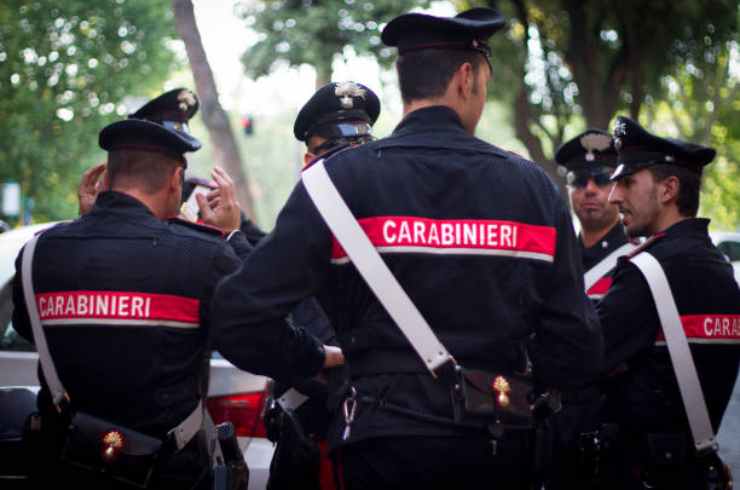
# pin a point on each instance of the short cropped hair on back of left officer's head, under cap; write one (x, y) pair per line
(147, 171)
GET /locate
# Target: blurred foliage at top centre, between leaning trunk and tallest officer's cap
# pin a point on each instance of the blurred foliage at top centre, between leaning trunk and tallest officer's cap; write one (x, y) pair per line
(315, 31)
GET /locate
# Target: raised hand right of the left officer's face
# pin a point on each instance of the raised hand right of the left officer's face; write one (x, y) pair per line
(220, 207)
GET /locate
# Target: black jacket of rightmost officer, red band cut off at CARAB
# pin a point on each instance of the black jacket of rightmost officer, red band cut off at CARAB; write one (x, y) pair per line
(646, 396)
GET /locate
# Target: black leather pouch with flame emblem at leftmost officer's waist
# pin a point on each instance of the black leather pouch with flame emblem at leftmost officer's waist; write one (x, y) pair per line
(104, 447)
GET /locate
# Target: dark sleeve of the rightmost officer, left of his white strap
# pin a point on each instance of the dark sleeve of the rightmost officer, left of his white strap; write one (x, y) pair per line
(628, 316)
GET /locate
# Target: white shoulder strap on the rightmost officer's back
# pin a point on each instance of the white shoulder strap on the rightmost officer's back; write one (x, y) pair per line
(678, 348)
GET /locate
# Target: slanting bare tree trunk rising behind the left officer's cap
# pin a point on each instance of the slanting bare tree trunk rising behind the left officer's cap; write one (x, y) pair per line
(225, 150)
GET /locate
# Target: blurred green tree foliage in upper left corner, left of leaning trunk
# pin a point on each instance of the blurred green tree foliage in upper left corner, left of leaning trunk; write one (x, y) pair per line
(65, 68)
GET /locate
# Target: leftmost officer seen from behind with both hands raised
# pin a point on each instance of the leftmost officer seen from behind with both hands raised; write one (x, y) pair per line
(123, 296)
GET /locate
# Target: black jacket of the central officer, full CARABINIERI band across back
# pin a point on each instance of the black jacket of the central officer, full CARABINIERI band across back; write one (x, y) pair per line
(478, 237)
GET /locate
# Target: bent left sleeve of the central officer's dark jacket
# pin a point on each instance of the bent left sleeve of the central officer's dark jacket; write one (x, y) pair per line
(250, 306)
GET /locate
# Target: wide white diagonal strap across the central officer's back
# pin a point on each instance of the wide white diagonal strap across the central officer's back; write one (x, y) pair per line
(379, 278)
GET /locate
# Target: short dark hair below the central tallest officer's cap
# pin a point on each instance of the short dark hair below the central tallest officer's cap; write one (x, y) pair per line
(426, 73)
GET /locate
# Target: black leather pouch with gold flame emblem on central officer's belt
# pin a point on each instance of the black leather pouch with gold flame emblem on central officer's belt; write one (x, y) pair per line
(496, 398)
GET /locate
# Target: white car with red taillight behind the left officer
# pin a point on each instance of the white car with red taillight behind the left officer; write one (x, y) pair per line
(233, 394)
